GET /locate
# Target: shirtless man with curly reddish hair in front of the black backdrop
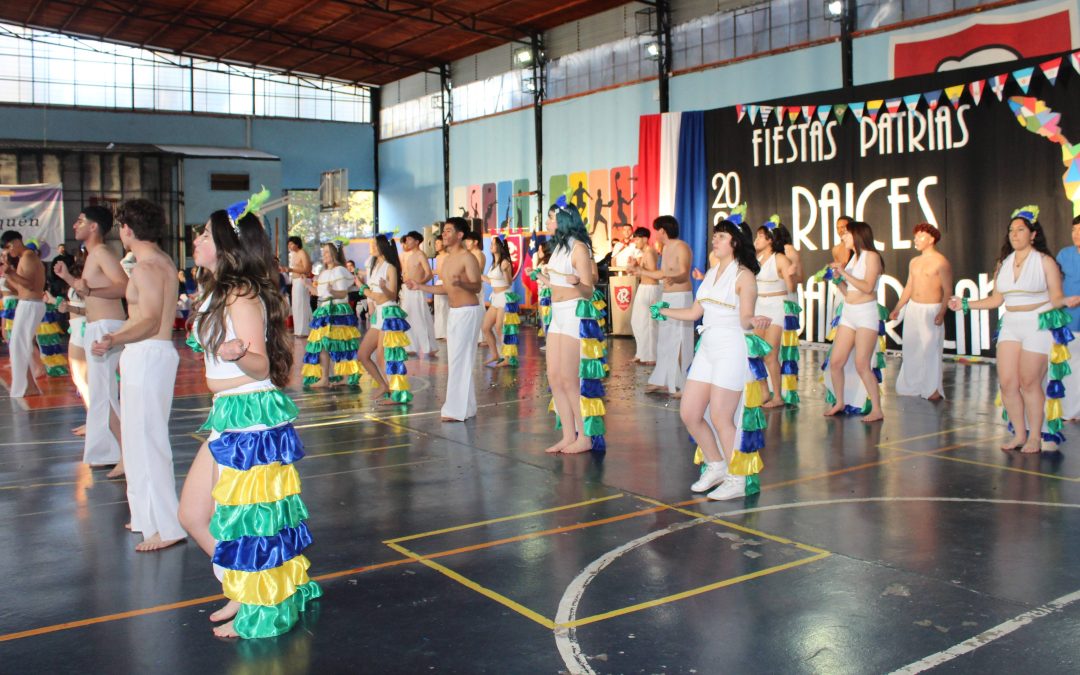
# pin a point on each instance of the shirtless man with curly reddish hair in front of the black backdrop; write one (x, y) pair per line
(929, 286)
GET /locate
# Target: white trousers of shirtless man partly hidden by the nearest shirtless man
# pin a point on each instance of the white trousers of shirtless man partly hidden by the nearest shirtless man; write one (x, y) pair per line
(103, 391)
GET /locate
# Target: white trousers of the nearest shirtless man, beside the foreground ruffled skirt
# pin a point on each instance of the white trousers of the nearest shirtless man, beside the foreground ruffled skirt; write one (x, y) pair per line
(146, 395)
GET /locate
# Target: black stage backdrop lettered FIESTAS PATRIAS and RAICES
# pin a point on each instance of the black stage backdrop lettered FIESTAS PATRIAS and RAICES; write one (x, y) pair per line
(966, 174)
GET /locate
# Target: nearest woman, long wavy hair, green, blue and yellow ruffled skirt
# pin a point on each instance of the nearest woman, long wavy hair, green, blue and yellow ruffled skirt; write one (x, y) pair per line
(241, 501)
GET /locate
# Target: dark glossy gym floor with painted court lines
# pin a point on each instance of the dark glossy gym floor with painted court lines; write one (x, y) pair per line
(451, 548)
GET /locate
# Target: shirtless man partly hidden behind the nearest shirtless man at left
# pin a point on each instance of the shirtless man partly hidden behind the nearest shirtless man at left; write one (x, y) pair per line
(103, 283)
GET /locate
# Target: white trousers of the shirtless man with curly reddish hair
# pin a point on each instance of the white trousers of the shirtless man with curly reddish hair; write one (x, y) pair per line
(921, 374)
